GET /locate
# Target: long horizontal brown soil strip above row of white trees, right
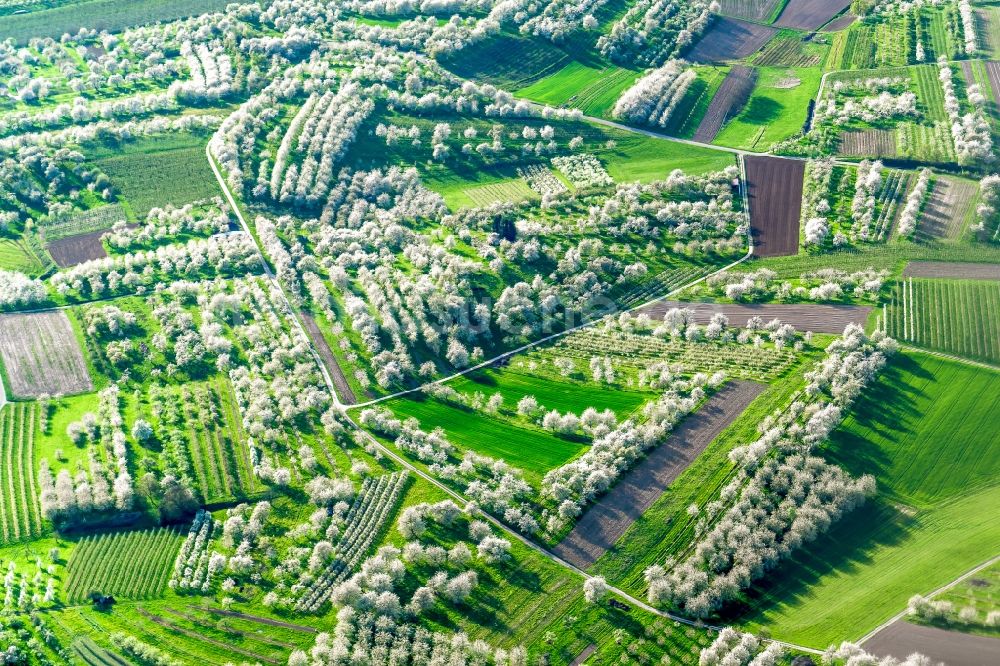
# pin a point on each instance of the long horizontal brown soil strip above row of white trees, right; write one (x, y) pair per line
(804, 317)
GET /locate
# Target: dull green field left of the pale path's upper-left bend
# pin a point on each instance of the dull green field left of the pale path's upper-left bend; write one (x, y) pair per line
(163, 170)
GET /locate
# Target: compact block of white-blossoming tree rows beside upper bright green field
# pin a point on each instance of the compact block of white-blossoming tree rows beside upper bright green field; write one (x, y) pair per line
(654, 97)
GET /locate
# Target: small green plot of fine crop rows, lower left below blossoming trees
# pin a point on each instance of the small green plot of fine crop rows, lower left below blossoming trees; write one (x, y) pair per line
(131, 565)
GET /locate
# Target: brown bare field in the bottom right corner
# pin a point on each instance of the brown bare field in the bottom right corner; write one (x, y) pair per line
(901, 639)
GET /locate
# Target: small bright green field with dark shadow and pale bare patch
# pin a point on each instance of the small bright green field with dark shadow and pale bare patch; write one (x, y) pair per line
(774, 112)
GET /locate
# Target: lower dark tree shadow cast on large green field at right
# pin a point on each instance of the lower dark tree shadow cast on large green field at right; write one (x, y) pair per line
(842, 550)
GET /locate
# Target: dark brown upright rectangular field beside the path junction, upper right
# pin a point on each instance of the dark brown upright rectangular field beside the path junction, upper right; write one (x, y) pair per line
(774, 187)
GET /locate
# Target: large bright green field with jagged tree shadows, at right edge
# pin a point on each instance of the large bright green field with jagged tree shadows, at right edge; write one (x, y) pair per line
(919, 431)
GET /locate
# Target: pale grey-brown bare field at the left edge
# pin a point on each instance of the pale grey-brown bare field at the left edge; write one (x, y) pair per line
(41, 356)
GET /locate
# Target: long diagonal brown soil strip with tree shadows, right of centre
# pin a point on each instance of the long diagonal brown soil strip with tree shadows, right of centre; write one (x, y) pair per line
(604, 522)
